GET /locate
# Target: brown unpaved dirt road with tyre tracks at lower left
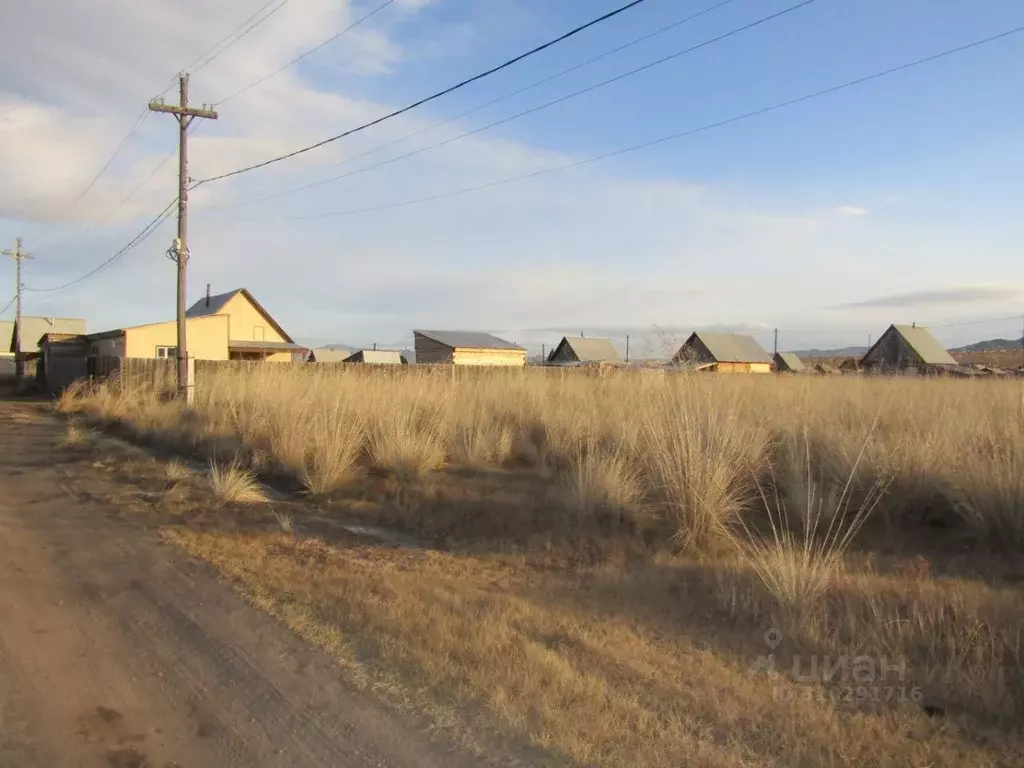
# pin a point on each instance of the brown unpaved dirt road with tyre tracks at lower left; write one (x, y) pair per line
(117, 651)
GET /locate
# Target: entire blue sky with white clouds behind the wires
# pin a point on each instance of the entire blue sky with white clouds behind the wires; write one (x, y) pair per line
(897, 201)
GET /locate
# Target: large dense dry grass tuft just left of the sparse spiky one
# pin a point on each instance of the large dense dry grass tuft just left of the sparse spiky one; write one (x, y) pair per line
(702, 453)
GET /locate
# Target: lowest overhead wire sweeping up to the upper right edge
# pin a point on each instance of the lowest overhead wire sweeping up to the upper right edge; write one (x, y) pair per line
(664, 140)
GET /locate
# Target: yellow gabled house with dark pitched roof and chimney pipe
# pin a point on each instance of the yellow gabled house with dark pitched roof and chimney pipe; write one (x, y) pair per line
(252, 333)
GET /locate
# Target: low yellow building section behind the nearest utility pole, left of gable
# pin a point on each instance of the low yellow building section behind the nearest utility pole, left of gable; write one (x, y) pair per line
(207, 340)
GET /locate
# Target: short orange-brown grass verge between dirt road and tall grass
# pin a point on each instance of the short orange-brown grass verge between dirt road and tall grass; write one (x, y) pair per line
(590, 666)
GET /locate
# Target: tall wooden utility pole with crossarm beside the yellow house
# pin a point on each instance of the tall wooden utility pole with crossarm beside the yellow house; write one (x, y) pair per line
(185, 115)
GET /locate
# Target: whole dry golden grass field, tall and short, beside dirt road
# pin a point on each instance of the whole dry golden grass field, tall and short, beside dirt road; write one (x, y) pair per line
(635, 570)
